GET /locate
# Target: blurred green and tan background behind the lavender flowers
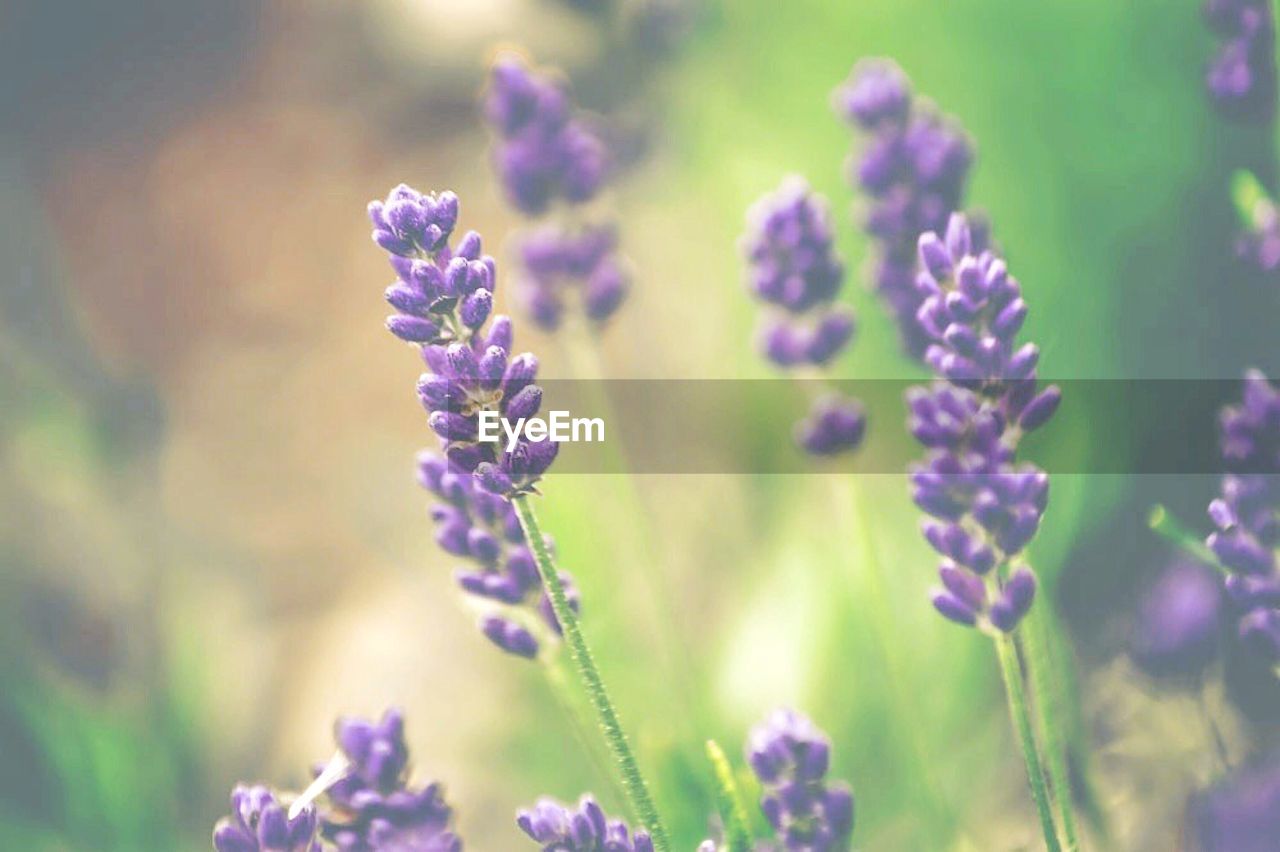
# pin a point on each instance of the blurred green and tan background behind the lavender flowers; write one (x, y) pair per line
(211, 538)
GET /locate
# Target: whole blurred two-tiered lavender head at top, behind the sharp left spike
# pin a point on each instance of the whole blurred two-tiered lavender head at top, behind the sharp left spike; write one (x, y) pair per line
(547, 153)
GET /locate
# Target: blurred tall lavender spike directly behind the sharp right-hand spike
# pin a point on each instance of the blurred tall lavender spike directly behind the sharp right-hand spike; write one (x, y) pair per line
(913, 171)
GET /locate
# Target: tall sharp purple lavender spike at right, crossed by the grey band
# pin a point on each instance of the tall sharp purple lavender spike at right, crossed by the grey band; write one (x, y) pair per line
(985, 506)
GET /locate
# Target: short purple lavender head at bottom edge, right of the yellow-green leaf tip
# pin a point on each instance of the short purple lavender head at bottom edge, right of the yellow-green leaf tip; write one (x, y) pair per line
(790, 757)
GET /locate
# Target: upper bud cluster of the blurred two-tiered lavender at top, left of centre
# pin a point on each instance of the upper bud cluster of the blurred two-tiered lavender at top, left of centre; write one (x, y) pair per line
(546, 153)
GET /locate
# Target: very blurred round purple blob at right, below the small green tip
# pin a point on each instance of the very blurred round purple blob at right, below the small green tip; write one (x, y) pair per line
(1180, 622)
